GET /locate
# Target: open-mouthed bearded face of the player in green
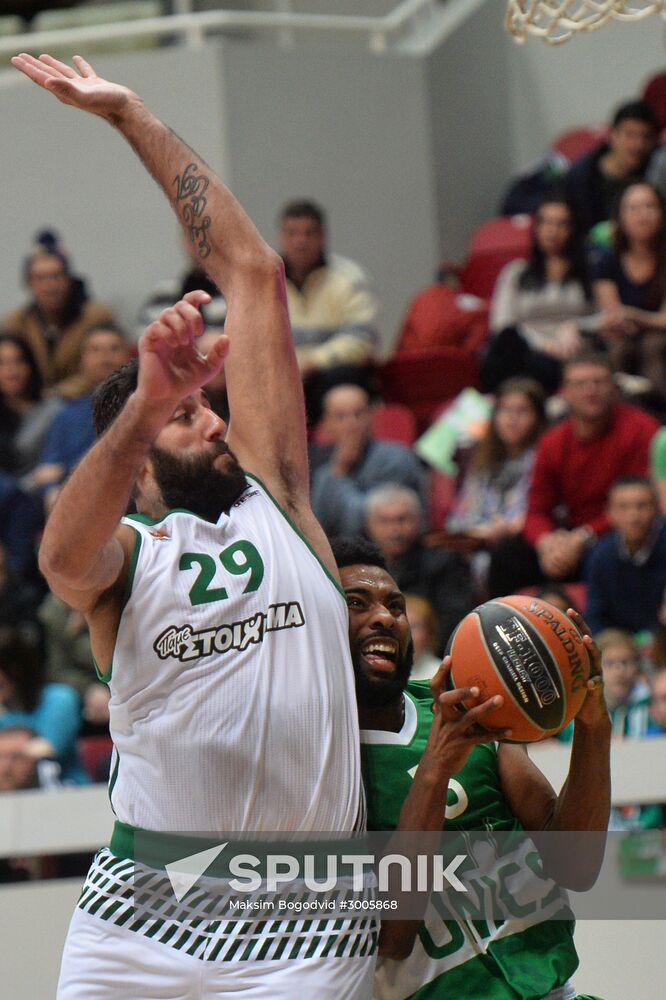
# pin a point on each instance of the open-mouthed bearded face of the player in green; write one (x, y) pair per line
(379, 636)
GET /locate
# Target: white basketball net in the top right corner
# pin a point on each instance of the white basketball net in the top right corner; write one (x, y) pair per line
(555, 21)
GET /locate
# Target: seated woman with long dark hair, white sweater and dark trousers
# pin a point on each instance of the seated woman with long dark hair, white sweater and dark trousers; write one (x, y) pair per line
(536, 303)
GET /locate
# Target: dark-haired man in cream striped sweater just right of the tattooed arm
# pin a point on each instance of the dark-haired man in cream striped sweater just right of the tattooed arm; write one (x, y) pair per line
(331, 307)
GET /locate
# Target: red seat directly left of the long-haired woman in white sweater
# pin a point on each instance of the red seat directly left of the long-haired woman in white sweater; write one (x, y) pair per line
(493, 245)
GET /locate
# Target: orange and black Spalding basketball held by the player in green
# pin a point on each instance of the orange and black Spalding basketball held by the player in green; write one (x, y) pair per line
(529, 652)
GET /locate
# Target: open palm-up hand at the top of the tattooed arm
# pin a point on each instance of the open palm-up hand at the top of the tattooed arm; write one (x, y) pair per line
(81, 87)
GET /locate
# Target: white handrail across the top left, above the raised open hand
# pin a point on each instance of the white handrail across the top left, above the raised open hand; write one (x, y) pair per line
(195, 25)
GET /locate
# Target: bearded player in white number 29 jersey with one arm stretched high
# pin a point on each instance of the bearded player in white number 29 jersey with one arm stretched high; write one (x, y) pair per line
(215, 614)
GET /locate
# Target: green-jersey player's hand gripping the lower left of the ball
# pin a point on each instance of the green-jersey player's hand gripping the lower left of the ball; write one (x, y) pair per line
(455, 731)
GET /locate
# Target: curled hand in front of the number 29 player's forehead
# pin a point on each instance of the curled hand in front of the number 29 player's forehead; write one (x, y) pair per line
(170, 365)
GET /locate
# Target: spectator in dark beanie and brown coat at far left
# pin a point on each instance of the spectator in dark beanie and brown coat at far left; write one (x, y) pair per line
(55, 319)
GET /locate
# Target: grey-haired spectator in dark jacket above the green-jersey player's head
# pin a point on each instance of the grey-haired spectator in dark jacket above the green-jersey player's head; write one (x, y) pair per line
(394, 518)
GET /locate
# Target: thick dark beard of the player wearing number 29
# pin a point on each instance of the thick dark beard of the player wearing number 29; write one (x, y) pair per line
(194, 483)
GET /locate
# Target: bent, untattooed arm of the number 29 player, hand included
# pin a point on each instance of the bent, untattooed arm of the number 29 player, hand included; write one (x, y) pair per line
(84, 553)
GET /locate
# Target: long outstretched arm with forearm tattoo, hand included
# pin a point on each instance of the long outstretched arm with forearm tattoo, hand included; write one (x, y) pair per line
(264, 387)
